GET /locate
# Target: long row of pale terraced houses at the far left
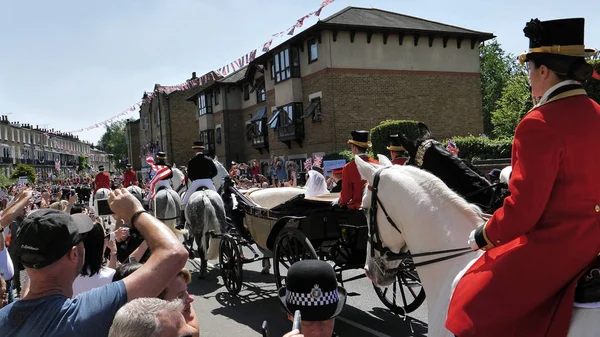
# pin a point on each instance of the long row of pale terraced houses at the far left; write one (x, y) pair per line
(39, 148)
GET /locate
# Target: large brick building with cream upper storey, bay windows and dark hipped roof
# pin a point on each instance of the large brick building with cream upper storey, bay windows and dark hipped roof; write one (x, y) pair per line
(349, 71)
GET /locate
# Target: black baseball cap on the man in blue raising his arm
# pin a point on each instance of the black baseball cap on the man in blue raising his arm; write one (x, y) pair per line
(47, 235)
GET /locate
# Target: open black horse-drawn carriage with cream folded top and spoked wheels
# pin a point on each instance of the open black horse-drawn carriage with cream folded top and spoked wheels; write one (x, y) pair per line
(290, 229)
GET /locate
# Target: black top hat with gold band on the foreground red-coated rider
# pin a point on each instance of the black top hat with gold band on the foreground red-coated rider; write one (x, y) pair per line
(558, 37)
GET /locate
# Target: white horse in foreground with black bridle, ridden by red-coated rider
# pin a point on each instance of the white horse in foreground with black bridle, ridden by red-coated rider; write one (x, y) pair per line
(432, 218)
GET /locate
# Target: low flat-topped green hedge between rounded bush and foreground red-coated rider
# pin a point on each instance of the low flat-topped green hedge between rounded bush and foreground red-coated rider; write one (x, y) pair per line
(477, 148)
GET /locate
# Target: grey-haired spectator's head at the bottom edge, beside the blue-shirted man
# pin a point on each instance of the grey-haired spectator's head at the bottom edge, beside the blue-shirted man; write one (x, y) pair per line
(150, 317)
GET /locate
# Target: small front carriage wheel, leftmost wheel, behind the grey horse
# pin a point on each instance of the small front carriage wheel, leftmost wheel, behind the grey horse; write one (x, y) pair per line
(231, 264)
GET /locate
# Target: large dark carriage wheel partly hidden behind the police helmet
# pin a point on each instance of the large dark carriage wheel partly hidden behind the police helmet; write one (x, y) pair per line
(291, 246)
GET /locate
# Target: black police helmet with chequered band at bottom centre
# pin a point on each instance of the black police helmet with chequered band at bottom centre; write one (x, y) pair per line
(311, 287)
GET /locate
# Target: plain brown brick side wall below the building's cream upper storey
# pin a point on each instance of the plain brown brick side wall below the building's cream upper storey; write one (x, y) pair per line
(449, 103)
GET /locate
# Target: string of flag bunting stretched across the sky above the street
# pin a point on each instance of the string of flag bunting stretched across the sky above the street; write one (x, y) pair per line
(224, 71)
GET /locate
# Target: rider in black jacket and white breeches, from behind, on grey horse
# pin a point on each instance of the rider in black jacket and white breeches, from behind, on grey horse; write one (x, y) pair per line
(201, 169)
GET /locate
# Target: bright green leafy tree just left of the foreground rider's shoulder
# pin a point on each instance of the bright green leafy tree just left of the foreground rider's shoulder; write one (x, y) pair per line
(514, 104)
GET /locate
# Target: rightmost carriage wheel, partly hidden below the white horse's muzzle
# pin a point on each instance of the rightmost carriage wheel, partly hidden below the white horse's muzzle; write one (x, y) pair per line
(405, 295)
